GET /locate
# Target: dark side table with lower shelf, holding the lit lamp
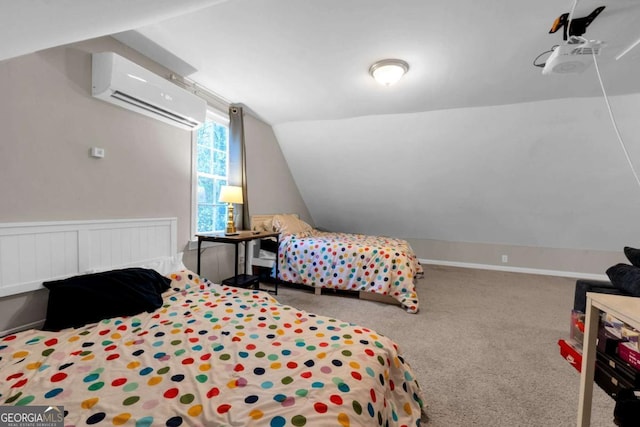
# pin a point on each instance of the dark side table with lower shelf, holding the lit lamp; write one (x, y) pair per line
(240, 280)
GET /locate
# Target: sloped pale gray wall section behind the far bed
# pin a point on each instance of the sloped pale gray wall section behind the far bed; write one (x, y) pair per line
(547, 174)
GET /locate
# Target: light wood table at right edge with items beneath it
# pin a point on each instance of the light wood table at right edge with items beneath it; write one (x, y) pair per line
(625, 309)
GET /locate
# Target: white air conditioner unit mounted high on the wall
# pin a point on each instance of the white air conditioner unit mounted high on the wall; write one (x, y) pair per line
(119, 81)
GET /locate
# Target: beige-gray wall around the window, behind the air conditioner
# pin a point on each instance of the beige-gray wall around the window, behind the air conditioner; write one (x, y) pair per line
(49, 121)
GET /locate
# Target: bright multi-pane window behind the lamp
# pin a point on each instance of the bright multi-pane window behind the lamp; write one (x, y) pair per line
(211, 171)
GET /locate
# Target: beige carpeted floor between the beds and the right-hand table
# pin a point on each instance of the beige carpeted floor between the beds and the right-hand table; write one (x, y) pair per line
(483, 346)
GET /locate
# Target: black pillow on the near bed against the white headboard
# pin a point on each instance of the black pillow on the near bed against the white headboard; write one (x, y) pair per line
(89, 298)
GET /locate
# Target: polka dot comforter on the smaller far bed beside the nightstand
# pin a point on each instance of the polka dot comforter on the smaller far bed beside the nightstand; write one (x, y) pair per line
(355, 262)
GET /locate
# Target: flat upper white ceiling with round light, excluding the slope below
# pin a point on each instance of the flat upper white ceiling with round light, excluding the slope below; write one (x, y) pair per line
(291, 60)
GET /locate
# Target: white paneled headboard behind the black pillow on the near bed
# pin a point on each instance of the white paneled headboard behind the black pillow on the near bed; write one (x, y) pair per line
(35, 252)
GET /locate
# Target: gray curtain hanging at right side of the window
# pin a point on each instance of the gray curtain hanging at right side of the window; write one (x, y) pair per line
(238, 161)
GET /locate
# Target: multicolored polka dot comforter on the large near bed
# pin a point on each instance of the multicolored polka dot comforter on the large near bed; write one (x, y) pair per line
(213, 356)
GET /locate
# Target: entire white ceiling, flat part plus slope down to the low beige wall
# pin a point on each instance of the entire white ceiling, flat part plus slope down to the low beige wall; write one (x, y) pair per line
(474, 144)
